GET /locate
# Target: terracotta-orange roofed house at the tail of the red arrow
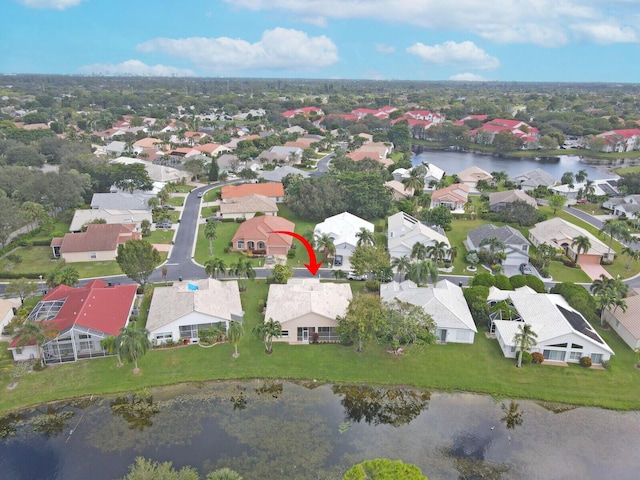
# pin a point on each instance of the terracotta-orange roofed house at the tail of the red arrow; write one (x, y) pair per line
(256, 235)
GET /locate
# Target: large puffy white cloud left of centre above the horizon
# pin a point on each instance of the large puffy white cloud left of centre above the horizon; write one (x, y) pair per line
(278, 49)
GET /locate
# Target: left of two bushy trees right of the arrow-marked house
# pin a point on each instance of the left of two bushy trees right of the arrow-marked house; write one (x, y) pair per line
(362, 320)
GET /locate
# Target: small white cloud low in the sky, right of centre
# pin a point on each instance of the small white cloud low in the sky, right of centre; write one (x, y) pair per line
(463, 54)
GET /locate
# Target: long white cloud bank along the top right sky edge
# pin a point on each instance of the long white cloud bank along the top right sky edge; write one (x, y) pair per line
(541, 22)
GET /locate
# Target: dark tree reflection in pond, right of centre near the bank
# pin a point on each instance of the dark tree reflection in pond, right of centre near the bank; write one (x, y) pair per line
(380, 405)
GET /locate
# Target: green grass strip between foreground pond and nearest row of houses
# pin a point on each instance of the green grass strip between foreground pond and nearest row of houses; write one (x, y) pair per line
(454, 367)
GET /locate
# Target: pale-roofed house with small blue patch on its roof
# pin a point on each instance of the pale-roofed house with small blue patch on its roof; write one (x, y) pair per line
(180, 311)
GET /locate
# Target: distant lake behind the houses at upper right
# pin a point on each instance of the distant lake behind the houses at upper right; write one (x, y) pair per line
(452, 162)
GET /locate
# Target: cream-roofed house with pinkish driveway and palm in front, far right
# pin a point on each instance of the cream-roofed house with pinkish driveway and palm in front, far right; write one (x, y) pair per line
(560, 234)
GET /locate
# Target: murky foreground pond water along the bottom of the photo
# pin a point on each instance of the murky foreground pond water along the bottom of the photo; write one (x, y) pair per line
(283, 430)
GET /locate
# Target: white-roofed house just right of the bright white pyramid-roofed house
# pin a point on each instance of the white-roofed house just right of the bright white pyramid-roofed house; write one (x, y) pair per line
(404, 231)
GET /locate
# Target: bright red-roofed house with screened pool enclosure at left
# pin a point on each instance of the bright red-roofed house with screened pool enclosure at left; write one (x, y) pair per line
(80, 318)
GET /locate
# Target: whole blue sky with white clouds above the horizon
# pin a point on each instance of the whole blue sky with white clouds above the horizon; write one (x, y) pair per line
(502, 40)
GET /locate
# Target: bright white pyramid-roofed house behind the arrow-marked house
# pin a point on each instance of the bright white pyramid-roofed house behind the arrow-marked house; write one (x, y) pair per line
(343, 229)
